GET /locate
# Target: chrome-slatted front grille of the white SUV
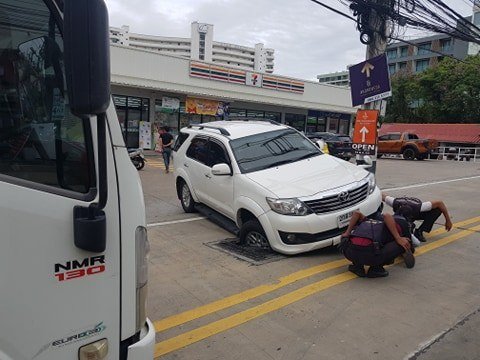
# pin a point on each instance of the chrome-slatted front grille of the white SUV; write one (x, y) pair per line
(339, 201)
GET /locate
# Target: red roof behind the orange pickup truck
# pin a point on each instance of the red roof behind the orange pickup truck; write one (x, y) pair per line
(459, 133)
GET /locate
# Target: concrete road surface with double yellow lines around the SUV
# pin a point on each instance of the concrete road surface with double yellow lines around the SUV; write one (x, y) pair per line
(208, 304)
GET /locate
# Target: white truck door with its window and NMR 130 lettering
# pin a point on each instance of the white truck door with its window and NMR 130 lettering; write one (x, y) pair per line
(54, 297)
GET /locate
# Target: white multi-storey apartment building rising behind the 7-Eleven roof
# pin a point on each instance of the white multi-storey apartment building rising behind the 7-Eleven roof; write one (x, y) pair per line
(200, 46)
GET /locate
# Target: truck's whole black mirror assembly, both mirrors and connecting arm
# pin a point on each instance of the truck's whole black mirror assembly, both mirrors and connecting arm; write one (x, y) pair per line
(87, 70)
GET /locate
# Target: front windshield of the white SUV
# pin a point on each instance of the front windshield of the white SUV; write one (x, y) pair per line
(266, 150)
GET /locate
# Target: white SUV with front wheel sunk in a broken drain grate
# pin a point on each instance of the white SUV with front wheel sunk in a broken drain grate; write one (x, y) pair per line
(272, 181)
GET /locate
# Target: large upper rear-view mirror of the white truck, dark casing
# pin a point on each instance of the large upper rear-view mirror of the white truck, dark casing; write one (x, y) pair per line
(87, 56)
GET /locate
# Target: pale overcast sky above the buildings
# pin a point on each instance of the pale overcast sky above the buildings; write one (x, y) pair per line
(308, 39)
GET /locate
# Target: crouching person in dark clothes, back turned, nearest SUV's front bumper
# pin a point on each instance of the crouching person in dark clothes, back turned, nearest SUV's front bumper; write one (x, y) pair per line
(376, 243)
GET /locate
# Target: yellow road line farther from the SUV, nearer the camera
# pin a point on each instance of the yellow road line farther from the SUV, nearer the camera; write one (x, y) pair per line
(242, 317)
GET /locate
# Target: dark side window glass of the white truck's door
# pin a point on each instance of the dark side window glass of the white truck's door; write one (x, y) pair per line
(40, 140)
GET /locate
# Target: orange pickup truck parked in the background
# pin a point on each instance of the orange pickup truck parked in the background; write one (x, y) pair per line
(407, 144)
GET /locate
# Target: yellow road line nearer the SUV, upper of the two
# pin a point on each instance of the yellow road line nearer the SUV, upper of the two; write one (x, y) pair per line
(189, 315)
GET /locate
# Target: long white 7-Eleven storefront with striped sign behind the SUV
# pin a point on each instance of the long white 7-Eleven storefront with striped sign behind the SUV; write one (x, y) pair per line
(183, 92)
